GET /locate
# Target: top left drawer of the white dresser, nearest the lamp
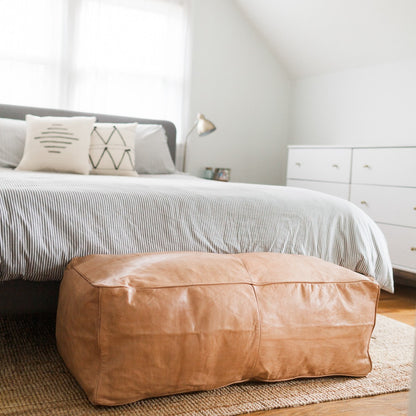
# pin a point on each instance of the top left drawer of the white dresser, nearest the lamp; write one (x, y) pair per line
(331, 165)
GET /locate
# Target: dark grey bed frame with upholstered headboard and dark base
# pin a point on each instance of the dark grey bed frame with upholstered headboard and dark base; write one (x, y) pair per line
(24, 296)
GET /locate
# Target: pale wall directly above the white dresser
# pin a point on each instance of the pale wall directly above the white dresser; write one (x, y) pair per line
(374, 105)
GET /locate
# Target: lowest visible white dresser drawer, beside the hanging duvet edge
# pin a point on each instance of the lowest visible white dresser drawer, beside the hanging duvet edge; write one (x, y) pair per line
(402, 246)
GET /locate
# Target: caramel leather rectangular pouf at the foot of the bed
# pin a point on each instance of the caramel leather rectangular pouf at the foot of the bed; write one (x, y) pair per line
(136, 326)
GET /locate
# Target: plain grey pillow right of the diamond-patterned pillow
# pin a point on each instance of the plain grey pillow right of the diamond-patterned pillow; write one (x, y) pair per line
(152, 151)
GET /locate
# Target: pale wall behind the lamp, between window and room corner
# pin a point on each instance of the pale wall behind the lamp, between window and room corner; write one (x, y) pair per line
(237, 82)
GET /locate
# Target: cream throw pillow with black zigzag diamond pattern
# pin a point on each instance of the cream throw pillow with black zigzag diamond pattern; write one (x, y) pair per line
(112, 149)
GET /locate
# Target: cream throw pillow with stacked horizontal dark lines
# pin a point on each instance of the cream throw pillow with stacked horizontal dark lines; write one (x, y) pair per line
(58, 144)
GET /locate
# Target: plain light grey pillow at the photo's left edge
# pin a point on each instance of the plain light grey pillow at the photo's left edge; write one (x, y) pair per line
(12, 142)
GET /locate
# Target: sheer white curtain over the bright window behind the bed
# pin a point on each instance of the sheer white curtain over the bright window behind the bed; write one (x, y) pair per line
(122, 57)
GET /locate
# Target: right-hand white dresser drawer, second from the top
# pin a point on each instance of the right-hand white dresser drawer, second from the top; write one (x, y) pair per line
(386, 204)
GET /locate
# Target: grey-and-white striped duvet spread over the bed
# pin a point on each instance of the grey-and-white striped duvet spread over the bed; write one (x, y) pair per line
(47, 219)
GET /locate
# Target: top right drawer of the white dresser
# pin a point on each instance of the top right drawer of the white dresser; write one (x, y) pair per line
(385, 166)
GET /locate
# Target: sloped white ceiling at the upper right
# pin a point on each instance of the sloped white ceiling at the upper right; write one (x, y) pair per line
(315, 36)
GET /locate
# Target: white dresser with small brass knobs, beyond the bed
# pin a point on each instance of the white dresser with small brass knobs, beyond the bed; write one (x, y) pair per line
(380, 180)
